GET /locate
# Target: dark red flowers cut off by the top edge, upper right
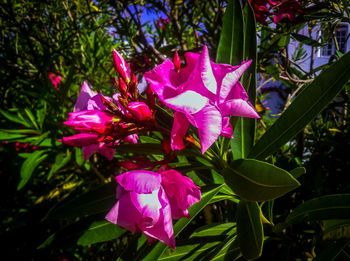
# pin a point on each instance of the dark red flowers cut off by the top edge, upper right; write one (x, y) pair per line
(281, 9)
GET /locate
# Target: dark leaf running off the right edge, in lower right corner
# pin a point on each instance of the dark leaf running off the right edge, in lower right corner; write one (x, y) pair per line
(322, 208)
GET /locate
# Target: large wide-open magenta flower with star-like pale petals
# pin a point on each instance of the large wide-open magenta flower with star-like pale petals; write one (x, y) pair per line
(204, 94)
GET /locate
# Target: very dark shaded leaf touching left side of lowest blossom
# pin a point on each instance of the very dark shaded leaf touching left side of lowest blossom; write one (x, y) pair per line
(92, 202)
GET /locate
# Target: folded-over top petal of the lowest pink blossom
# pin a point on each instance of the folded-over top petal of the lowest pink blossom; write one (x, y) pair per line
(140, 181)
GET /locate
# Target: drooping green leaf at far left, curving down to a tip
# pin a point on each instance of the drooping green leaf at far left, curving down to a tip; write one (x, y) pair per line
(29, 166)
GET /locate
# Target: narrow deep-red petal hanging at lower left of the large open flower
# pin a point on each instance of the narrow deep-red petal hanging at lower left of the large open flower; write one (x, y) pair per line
(179, 129)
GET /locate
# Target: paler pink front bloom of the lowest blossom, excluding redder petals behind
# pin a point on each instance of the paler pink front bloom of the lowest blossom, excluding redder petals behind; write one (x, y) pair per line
(143, 206)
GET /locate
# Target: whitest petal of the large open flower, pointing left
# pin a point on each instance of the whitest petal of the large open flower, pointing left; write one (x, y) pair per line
(187, 102)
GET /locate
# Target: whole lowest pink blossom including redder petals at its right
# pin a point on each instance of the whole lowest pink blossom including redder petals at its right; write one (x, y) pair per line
(148, 201)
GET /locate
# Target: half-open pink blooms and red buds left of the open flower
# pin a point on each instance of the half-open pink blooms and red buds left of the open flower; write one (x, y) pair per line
(103, 121)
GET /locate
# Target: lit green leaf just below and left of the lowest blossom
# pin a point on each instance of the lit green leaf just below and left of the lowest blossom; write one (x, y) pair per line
(100, 231)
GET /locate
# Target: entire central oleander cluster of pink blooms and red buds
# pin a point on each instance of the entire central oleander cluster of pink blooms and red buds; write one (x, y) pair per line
(202, 93)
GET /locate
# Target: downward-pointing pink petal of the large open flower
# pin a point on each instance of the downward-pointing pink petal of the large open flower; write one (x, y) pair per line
(209, 124)
